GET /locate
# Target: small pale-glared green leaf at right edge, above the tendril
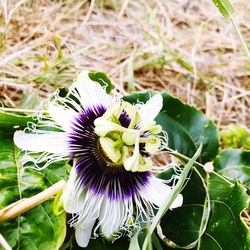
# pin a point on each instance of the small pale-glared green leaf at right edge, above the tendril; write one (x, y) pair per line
(235, 164)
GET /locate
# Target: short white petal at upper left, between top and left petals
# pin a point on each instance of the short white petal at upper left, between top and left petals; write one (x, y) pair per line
(64, 117)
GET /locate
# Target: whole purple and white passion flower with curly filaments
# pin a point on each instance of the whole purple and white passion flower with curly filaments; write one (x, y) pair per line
(111, 187)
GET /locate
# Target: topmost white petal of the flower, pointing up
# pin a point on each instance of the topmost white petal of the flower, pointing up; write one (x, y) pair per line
(91, 93)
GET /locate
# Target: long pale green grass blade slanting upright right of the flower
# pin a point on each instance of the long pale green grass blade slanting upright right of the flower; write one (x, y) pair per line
(172, 196)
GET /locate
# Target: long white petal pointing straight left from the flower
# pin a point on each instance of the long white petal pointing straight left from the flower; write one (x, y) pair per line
(53, 142)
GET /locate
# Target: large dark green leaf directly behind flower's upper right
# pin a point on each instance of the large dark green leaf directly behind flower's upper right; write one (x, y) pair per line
(186, 127)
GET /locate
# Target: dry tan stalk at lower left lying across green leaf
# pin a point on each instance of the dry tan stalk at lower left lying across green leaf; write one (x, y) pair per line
(27, 204)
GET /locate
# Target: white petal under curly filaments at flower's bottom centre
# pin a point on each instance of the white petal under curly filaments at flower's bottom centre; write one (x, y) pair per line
(113, 215)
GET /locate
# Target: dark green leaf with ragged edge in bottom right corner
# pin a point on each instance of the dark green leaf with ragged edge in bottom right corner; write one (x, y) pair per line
(226, 229)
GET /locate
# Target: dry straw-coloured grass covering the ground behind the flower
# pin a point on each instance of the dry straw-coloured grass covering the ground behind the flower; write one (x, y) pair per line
(184, 47)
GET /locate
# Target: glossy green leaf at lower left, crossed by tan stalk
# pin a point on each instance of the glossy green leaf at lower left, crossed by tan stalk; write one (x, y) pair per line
(38, 228)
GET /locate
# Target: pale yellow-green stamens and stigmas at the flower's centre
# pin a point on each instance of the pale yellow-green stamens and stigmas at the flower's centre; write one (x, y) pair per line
(123, 141)
